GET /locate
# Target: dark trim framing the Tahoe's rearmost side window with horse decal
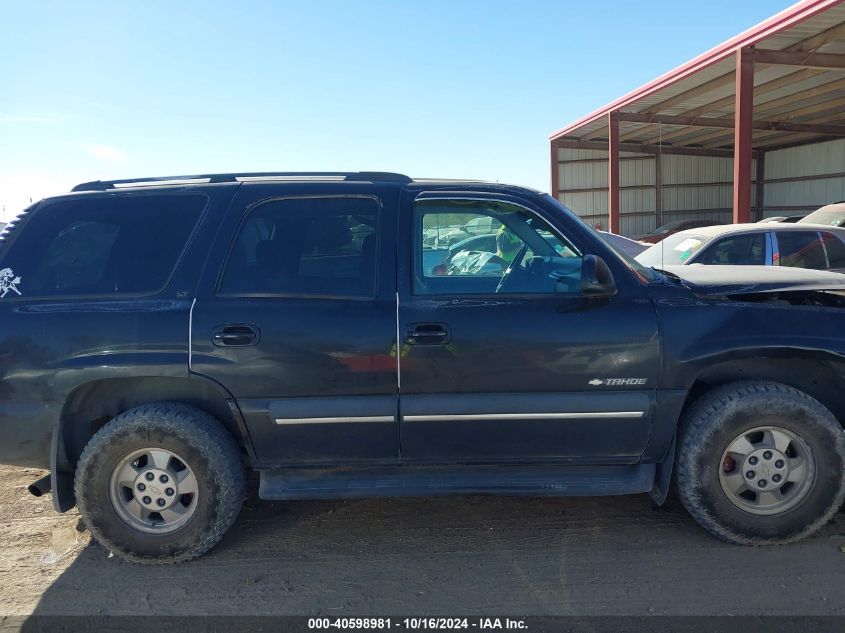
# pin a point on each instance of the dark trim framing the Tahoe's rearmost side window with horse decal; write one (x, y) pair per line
(114, 296)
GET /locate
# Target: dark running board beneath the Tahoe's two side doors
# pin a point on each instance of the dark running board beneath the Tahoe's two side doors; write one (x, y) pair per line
(417, 481)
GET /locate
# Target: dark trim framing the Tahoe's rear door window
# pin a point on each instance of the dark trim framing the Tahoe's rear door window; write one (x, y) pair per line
(300, 295)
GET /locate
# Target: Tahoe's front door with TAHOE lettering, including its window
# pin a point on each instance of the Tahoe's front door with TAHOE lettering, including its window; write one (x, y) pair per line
(502, 358)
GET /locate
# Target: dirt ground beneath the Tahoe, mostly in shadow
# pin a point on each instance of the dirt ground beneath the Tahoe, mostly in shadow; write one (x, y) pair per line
(421, 556)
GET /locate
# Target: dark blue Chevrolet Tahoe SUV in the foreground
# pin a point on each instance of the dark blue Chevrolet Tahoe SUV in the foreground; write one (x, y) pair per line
(161, 338)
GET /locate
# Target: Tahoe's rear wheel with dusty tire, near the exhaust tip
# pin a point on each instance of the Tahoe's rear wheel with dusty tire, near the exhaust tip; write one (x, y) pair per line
(160, 483)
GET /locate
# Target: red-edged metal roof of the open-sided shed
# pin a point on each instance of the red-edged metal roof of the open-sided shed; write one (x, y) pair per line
(693, 105)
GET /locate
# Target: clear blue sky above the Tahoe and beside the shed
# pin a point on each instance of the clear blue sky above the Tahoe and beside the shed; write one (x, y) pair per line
(464, 88)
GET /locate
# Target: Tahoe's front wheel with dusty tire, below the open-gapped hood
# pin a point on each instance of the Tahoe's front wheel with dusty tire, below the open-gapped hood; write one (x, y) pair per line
(760, 463)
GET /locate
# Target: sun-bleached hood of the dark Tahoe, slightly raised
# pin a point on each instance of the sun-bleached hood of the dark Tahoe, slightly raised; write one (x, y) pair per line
(744, 280)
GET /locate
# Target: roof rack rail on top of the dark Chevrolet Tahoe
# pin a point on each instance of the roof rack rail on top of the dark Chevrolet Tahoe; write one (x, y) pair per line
(104, 185)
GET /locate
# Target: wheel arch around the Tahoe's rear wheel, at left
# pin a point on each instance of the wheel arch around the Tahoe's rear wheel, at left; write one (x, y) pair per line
(91, 405)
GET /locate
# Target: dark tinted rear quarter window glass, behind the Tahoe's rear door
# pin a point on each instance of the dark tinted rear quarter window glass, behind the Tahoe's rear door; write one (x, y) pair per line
(103, 246)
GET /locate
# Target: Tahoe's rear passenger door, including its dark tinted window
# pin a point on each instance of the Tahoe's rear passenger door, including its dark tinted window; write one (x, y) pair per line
(299, 320)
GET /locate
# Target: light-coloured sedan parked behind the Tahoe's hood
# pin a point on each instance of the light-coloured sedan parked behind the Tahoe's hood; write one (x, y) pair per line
(794, 245)
